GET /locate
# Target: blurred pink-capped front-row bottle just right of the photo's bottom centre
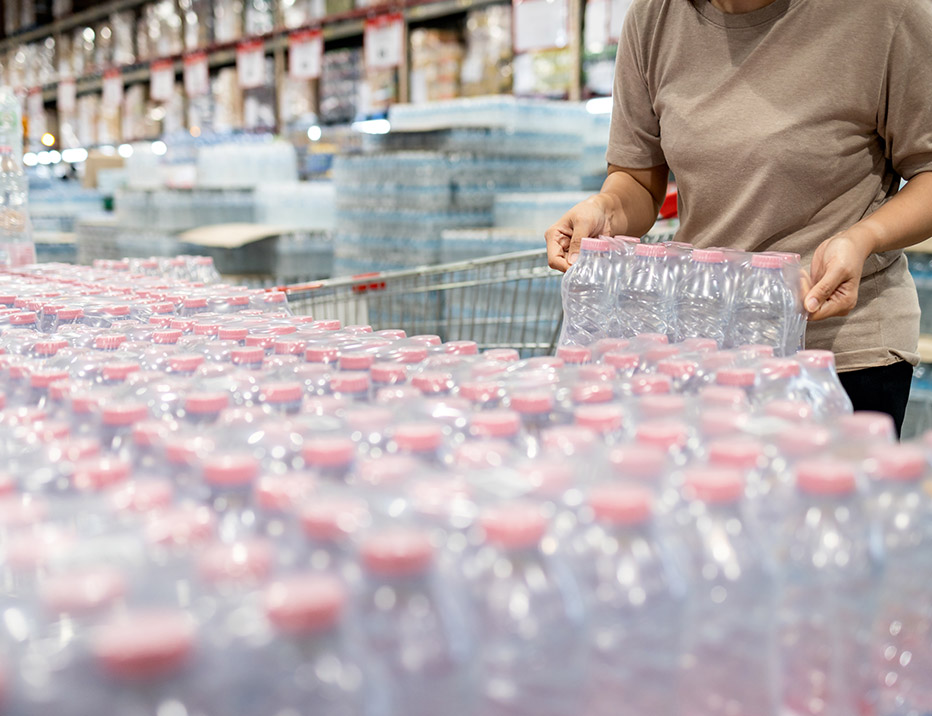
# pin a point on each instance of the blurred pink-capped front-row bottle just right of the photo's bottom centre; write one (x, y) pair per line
(532, 657)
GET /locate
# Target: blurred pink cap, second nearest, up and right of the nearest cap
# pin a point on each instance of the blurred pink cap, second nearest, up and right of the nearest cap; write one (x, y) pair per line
(305, 603)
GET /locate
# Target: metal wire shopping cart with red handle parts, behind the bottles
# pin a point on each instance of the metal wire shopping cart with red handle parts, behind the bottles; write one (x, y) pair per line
(506, 301)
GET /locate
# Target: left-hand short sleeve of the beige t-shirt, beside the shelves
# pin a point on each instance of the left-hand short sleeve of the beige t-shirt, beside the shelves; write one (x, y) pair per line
(634, 141)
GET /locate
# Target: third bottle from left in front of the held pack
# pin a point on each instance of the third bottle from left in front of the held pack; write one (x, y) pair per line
(702, 303)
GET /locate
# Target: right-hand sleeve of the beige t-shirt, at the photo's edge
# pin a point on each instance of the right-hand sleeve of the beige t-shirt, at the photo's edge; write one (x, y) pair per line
(905, 113)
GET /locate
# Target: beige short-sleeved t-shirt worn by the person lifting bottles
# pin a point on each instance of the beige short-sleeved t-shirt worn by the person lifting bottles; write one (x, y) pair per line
(784, 126)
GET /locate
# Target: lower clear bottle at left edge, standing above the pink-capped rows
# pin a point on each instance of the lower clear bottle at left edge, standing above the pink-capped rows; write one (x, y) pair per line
(16, 244)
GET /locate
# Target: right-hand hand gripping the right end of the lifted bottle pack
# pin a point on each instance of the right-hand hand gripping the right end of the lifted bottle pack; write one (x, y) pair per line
(836, 271)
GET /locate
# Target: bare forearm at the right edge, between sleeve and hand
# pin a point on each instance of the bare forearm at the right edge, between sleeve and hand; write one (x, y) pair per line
(903, 221)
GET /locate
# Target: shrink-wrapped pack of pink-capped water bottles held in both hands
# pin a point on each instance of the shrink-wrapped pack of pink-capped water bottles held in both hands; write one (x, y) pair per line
(620, 287)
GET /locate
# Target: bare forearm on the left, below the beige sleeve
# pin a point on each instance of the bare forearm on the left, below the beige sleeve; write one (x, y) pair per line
(631, 202)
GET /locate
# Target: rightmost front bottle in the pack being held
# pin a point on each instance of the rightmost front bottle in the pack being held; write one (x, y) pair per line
(764, 307)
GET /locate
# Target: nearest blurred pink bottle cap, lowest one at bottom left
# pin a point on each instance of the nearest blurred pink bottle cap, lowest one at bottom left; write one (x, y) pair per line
(145, 645)
